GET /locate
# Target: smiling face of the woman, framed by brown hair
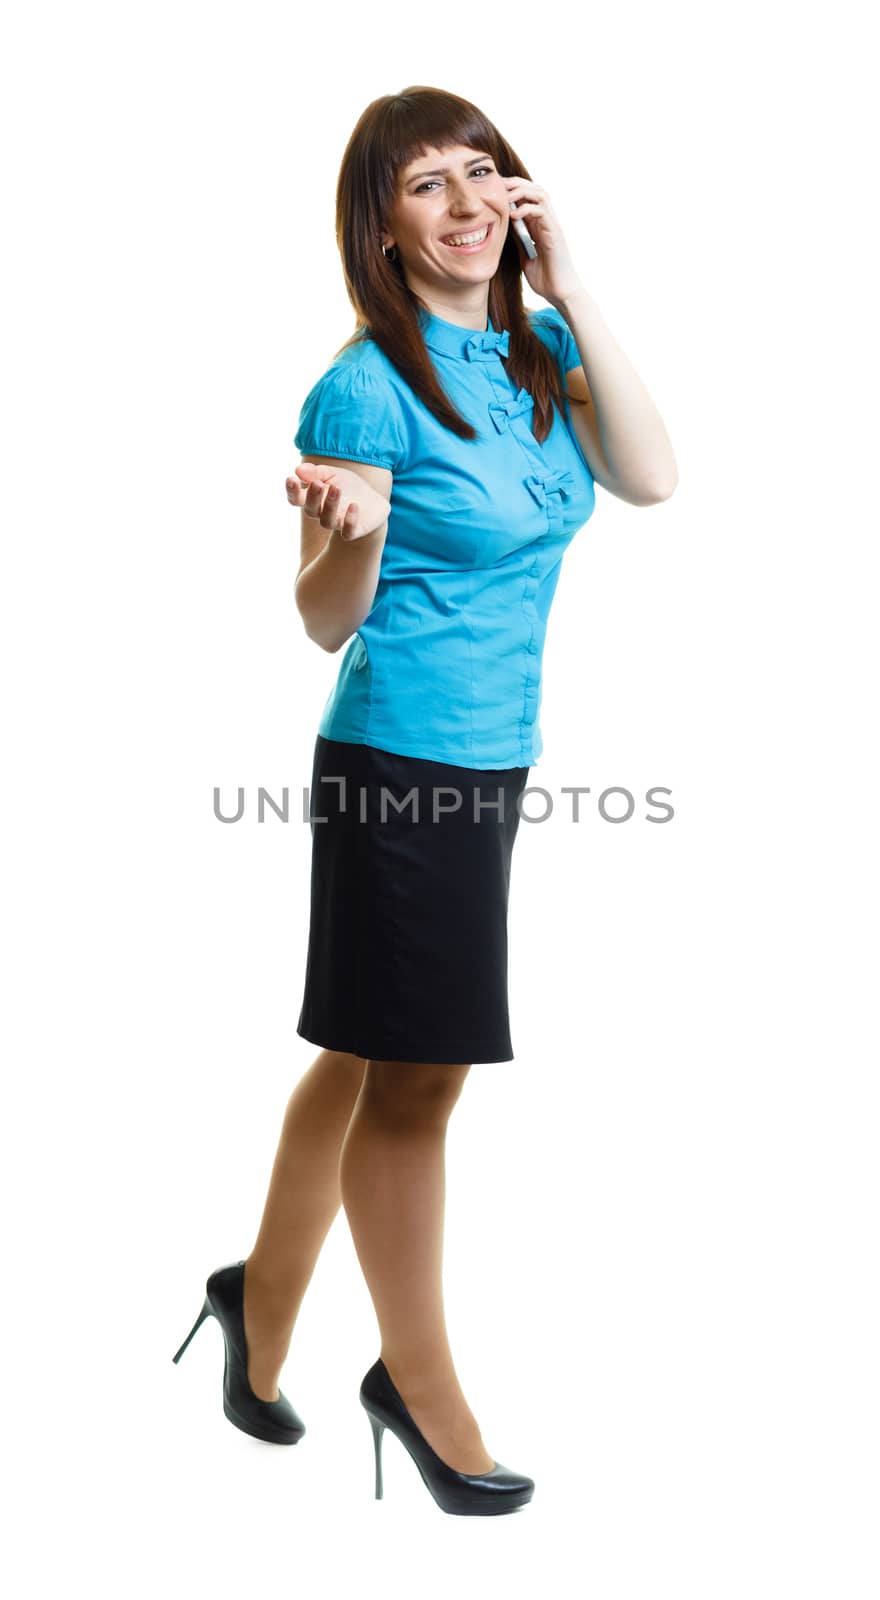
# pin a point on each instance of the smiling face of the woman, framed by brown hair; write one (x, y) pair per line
(431, 206)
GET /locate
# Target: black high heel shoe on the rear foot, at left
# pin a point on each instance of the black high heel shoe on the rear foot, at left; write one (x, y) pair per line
(271, 1420)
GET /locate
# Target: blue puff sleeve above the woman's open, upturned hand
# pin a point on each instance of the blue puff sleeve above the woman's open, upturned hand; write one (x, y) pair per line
(353, 414)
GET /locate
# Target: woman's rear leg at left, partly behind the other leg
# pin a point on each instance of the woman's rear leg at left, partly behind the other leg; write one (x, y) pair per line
(300, 1209)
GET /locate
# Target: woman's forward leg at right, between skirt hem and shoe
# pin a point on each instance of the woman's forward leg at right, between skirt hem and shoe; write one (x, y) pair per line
(393, 1180)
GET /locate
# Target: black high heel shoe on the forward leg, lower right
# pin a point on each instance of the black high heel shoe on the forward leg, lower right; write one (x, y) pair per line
(463, 1494)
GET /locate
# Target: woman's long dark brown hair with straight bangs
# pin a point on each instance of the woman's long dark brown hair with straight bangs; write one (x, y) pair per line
(388, 137)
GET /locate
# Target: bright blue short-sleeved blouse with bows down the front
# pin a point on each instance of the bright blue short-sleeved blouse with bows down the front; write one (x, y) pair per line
(447, 665)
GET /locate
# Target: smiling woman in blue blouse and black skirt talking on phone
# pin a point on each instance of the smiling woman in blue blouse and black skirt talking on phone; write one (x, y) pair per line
(444, 474)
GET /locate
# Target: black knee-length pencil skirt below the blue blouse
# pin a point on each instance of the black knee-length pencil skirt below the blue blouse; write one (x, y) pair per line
(409, 906)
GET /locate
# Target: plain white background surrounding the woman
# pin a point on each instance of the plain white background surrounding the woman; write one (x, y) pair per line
(662, 1218)
